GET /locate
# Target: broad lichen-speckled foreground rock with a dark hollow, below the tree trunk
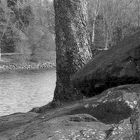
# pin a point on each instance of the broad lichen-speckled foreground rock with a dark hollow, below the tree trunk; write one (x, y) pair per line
(108, 116)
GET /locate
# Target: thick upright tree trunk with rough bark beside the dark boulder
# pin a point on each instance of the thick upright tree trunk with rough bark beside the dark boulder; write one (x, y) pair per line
(72, 46)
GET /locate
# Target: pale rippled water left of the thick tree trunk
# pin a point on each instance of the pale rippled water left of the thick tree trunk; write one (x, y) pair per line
(21, 91)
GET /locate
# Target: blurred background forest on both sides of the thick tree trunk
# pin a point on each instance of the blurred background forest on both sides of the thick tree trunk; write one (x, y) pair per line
(27, 26)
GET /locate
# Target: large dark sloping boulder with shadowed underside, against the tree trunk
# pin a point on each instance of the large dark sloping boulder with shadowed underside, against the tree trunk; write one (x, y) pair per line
(117, 66)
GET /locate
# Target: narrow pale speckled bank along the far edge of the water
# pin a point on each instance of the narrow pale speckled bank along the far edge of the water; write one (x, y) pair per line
(7, 66)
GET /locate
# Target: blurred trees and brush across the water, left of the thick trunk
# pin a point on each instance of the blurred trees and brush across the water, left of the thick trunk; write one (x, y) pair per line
(27, 25)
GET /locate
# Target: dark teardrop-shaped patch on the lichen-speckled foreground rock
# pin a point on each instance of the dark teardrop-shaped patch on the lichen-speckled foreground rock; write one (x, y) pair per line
(108, 112)
